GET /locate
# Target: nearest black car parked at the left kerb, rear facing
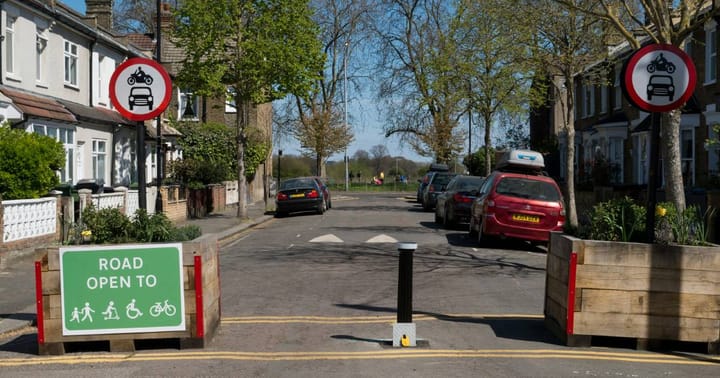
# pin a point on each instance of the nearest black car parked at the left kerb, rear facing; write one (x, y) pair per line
(300, 194)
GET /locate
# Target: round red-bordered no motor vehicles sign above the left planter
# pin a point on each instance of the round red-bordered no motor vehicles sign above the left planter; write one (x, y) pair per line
(140, 89)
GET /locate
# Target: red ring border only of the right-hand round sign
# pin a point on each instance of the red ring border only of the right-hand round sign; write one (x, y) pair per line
(644, 105)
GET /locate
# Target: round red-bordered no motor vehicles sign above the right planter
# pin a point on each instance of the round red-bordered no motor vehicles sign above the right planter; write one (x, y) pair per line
(659, 78)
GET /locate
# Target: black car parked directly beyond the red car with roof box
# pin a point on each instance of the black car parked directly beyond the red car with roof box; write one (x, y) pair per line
(453, 205)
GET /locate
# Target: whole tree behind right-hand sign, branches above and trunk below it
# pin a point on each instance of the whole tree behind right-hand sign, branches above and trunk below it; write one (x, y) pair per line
(670, 22)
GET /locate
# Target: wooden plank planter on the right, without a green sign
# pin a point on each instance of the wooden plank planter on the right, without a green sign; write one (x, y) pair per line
(648, 292)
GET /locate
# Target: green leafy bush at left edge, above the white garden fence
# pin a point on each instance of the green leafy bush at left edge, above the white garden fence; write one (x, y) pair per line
(28, 162)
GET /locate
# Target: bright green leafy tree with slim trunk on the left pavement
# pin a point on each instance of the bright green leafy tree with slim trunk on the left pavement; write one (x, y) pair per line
(257, 50)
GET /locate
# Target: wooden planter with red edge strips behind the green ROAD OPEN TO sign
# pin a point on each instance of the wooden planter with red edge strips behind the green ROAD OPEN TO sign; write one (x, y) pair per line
(201, 279)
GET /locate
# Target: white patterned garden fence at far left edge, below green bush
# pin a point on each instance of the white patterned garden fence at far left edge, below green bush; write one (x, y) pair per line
(29, 218)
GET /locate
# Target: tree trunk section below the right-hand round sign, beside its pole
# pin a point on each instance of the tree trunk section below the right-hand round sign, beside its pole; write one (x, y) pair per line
(672, 169)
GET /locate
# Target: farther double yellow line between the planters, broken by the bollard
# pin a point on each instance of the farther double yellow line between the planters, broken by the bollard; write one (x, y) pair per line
(367, 319)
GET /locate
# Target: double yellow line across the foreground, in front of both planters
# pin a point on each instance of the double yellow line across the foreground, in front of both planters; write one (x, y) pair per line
(639, 357)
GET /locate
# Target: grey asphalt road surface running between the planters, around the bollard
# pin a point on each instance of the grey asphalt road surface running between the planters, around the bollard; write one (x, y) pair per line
(316, 296)
